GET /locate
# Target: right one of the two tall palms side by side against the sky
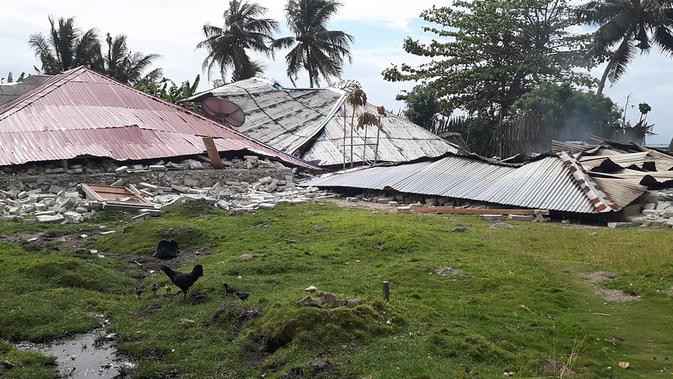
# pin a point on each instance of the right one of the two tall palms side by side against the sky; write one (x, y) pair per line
(319, 51)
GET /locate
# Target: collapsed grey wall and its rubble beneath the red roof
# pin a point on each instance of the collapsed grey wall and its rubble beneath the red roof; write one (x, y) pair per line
(50, 193)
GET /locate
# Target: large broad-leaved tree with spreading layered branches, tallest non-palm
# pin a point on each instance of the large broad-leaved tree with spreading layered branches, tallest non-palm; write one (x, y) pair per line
(490, 52)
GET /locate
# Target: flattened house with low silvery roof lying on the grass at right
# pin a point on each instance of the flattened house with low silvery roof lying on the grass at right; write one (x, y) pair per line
(555, 182)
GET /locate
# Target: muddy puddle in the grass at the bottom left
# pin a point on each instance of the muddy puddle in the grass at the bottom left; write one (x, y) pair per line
(90, 355)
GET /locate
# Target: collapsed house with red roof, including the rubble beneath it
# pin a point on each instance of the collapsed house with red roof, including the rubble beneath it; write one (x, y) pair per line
(81, 127)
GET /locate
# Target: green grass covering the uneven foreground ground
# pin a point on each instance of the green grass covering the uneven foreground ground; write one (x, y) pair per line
(519, 300)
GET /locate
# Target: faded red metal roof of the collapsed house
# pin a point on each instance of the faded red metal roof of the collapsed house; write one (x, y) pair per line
(81, 112)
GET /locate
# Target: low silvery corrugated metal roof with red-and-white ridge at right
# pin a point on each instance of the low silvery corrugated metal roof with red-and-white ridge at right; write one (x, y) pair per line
(552, 182)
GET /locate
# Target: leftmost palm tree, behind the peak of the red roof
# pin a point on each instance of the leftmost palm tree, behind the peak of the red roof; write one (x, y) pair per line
(66, 47)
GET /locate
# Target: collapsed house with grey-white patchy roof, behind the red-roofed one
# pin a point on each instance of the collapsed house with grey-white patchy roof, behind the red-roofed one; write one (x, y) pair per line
(315, 124)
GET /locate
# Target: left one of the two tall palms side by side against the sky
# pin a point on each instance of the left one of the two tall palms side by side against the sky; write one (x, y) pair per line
(243, 30)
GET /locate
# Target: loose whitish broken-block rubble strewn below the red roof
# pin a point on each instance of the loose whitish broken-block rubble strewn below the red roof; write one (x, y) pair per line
(61, 205)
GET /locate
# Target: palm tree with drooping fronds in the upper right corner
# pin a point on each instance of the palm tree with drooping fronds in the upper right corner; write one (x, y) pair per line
(628, 25)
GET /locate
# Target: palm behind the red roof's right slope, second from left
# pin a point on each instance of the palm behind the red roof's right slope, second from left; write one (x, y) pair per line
(126, 66)
